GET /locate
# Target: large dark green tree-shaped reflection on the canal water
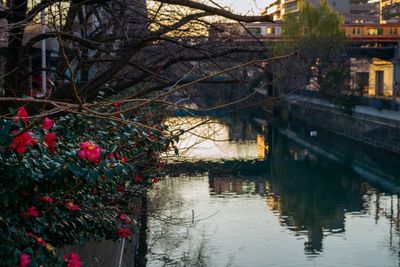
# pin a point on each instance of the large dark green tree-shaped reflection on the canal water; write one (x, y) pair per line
(311, 194)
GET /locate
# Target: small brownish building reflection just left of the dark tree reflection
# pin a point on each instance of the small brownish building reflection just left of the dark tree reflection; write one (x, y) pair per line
(236, 185)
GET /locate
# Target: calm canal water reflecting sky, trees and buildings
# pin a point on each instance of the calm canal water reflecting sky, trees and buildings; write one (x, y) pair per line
(248, 195)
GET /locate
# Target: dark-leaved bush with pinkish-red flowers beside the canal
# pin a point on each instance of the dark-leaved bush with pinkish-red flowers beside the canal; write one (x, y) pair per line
(71, 179)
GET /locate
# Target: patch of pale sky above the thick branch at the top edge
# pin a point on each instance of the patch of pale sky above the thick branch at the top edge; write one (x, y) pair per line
(251, 7)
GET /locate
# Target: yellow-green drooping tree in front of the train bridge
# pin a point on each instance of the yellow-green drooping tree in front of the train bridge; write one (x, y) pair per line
(316, 35)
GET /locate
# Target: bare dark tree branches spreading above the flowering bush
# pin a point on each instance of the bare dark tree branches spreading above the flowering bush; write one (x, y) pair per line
(101, 47)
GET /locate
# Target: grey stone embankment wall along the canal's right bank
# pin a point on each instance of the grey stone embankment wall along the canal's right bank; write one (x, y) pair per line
(379, 129)
